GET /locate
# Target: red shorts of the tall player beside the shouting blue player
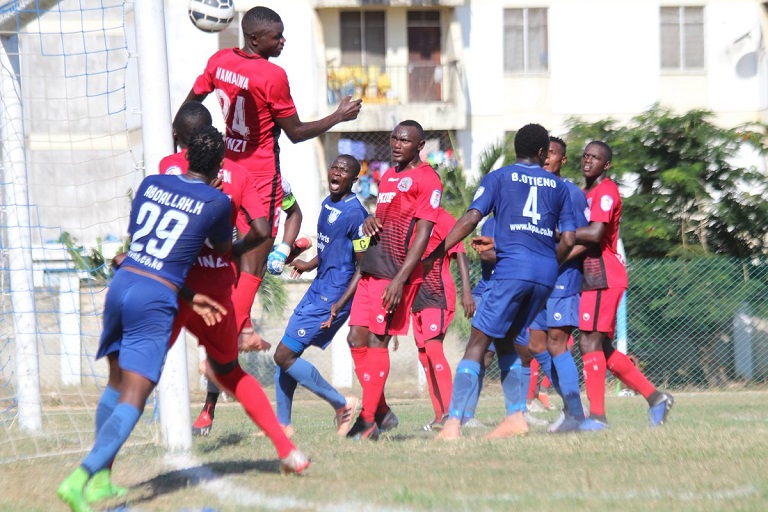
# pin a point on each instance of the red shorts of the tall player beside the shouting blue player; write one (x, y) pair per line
(368, 312)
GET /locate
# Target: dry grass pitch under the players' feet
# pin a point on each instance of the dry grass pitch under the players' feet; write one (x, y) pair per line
(712, 455)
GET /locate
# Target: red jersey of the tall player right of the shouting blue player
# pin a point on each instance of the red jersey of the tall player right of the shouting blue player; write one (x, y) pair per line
(404, 197)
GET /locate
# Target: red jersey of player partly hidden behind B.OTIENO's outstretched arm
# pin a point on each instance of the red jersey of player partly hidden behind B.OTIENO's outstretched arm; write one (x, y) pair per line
(438, 289)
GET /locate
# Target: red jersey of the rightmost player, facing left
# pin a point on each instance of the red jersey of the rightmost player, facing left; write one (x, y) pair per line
(605, 268)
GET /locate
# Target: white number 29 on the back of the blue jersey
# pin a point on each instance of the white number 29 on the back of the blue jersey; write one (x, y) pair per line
(163, 231)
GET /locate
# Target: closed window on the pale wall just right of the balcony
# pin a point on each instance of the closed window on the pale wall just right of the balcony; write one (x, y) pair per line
(525, 40)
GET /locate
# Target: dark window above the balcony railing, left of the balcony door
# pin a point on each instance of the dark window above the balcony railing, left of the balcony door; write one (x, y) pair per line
(362, 38)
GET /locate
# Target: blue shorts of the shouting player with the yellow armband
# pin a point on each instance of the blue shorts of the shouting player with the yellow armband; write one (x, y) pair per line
(304, 326)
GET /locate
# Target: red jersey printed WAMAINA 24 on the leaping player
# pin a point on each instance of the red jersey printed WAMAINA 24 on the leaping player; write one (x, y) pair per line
(252, 93)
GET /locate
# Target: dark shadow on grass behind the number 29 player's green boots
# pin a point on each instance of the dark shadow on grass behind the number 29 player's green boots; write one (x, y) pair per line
(172, 481)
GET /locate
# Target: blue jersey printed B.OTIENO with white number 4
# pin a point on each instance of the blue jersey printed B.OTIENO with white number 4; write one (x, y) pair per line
(529, 203)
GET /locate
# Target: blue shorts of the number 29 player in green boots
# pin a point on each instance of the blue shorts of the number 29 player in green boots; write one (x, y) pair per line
(138, 317)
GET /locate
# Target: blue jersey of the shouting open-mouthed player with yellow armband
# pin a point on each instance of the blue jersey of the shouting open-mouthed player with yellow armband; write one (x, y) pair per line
(339, 223)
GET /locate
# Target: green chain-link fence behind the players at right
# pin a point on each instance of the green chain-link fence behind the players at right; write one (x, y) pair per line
(697, 323)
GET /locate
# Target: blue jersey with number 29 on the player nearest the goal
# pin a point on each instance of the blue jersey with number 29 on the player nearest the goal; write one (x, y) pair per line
(171, 218)
